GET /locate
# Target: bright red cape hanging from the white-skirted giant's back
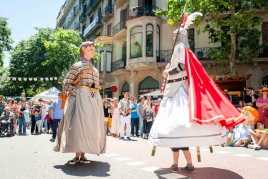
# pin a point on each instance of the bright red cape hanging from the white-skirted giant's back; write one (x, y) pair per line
(207, 102)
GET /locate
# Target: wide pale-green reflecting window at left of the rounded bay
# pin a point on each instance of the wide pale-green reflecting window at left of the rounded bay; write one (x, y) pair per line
(136, 42)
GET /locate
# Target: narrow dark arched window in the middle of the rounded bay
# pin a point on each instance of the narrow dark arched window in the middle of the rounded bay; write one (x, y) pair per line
(149, 40)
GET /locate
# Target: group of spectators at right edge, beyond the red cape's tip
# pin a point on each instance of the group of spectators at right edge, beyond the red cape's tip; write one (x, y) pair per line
(251, 134)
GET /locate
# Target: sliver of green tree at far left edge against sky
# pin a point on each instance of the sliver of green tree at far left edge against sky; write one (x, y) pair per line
(5, 38)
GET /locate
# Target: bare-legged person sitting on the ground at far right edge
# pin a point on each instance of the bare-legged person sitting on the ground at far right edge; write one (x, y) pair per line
(259, 137)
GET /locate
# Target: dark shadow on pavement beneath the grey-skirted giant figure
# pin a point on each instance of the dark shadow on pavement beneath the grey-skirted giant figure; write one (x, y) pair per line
(94, 168)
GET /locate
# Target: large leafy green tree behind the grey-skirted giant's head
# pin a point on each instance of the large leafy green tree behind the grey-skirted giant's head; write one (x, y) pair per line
(39, 56)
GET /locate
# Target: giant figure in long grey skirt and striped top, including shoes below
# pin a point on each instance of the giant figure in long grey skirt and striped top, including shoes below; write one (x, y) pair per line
(82, 128)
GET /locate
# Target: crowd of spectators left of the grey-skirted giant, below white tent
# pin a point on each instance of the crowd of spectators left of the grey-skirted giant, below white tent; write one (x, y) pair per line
(39, 116)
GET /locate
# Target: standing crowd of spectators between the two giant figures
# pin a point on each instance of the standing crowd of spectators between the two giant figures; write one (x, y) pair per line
(130, 117)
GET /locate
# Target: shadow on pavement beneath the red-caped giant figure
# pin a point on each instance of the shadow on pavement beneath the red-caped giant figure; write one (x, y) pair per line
(201, 173)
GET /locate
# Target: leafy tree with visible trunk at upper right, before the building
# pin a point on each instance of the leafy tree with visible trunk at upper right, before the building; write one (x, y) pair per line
(233, 23)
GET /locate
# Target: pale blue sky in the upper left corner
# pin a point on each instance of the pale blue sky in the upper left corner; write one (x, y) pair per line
(24, 15)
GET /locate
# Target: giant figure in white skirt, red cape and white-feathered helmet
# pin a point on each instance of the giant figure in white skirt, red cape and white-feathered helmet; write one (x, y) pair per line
(194, 110)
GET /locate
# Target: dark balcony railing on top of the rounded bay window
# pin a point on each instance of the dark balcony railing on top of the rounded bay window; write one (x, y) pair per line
(139, 11)
